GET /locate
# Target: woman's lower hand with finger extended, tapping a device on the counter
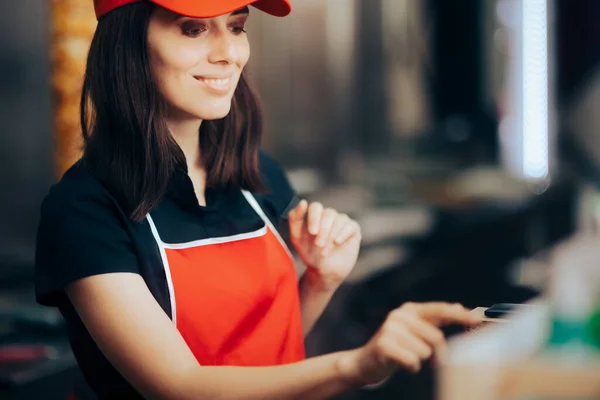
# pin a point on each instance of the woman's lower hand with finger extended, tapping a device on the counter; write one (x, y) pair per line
(409, 335)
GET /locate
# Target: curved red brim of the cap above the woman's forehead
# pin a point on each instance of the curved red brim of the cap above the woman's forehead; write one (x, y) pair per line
(214, 8)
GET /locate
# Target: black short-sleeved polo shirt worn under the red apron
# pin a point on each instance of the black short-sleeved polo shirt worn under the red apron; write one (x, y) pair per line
(84, 231)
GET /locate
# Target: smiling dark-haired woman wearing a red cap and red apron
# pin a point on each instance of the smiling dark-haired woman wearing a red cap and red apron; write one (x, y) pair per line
(159, 246)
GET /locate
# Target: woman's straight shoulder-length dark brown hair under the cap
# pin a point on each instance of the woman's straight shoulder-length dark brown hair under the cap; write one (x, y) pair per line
(127, 143)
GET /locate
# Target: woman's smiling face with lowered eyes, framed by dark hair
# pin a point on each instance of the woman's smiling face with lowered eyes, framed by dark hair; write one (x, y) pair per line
(197, 63)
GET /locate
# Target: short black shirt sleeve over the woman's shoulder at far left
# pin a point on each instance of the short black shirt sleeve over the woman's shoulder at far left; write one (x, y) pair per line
(82, 232)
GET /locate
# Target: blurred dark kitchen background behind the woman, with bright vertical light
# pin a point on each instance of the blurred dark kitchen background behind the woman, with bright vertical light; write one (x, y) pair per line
(460, 134)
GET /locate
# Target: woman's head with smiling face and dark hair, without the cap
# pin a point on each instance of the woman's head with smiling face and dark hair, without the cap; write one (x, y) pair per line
(190, 78)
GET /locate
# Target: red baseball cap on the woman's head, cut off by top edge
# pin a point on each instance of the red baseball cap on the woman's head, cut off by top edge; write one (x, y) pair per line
(201, 8)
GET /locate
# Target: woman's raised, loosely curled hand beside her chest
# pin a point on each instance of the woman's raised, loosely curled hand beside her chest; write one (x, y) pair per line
(327, 242)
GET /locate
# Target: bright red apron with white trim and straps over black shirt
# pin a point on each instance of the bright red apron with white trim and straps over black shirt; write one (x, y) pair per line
(235, 299)
